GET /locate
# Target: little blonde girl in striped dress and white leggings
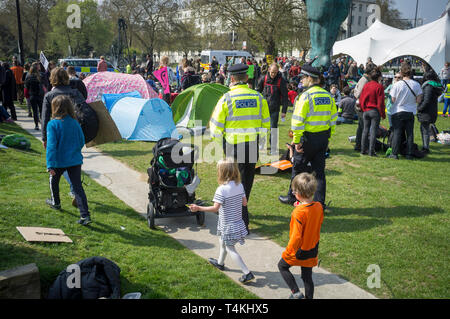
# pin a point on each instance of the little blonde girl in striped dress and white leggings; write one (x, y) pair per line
(228, 200)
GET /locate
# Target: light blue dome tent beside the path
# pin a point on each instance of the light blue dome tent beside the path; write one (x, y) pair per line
(143, 119)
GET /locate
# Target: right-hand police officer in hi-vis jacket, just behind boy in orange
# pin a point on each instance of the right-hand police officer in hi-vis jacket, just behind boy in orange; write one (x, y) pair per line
(313, 123)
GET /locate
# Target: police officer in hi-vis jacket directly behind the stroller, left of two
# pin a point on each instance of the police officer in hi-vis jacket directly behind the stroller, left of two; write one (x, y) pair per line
(240, 117)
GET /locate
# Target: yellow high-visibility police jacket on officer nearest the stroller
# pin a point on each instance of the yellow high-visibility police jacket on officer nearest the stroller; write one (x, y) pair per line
(240, 116)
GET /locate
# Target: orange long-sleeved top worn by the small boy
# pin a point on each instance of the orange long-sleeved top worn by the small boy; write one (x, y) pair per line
(304, 235)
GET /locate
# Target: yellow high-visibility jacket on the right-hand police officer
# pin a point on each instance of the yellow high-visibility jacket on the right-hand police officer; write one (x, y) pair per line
(315, 111)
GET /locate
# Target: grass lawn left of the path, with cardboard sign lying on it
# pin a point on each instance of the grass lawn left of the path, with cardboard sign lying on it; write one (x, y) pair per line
(151, 262)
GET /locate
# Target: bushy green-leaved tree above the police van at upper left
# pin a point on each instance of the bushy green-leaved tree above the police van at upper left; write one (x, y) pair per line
(94, 33)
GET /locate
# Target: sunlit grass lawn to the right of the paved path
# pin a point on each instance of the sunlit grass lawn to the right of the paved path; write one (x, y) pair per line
(394, 214)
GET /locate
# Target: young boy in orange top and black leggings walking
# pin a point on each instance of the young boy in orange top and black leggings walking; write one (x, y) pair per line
(304, 236)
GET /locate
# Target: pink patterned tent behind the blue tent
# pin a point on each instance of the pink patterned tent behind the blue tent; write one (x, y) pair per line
(100, 83)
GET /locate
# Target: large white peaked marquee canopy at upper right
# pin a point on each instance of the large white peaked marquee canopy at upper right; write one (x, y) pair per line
(430, 42)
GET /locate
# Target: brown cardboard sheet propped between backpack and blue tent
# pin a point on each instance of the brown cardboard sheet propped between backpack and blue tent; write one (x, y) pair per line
(107, 129)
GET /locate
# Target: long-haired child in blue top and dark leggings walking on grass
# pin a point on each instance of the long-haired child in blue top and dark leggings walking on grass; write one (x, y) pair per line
(65, 139)
